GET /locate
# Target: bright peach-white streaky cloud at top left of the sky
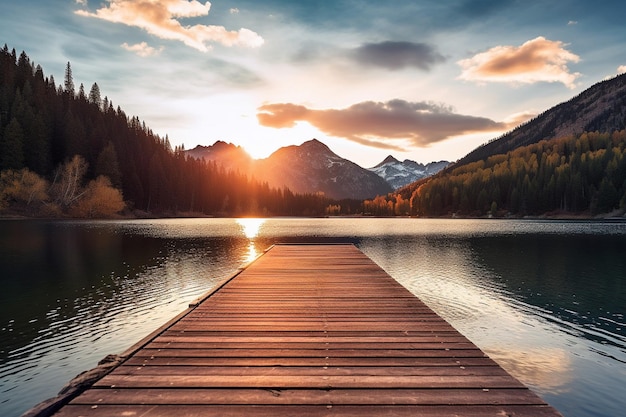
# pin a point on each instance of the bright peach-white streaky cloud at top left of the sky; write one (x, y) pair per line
(161, 19)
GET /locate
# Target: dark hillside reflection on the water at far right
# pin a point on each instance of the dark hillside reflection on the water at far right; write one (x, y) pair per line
(578, 285)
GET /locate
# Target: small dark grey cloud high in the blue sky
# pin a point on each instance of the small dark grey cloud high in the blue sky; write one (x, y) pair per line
(395, 55)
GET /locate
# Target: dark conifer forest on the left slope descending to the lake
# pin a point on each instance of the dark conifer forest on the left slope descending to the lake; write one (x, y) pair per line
(43, 126)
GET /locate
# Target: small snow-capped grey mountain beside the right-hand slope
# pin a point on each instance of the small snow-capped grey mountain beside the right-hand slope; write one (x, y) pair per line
(398, 174)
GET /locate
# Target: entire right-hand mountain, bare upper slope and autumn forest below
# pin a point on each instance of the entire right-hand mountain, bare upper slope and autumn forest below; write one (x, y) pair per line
(571, 159)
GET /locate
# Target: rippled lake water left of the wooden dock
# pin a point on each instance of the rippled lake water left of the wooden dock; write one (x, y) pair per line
(75, 292)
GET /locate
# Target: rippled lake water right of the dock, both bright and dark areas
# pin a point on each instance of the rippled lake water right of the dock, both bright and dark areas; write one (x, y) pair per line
(549, 308)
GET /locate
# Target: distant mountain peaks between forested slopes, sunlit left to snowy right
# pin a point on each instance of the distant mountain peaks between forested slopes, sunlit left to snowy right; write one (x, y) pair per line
(313, 168)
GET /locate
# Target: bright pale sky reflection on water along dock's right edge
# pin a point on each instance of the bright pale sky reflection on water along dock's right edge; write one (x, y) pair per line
(447, 276)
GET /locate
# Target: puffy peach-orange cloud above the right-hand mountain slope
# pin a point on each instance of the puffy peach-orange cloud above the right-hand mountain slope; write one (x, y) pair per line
(537, 60)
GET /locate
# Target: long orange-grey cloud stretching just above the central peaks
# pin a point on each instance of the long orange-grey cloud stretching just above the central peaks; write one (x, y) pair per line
(379, 124)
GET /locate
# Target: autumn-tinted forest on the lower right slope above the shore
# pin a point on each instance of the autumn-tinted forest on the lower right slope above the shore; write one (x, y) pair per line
(583, 173)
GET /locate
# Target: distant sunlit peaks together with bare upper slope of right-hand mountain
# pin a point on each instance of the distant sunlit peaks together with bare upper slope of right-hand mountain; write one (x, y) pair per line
(313, 168)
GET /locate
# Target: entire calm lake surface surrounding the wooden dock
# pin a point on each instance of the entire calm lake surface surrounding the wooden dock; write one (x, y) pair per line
(547, 300)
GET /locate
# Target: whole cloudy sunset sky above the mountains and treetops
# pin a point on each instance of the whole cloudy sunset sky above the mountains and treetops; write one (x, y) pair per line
(420, 80)
